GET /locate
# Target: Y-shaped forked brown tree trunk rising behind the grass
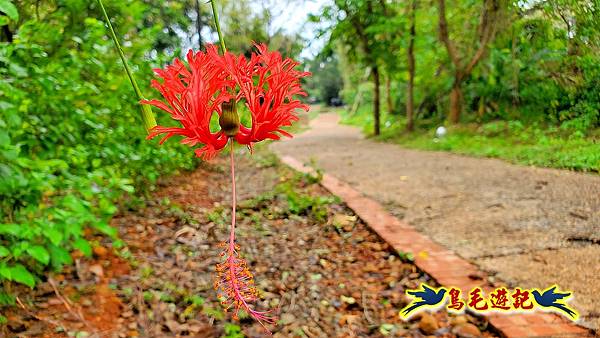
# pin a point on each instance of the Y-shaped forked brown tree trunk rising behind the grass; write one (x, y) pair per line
(463, 62)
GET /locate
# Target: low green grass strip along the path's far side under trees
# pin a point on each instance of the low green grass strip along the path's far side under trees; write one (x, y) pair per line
(536, 144)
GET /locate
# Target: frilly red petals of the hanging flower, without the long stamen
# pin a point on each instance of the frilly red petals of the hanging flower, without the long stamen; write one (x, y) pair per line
(266, 83)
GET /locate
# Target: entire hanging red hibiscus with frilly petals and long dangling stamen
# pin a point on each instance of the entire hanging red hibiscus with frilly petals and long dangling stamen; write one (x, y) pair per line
(266, 84)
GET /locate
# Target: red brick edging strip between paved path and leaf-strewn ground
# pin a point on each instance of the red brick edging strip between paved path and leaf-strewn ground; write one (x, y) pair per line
(441, 264)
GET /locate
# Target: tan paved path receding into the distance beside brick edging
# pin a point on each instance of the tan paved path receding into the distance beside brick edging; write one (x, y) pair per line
(532, 226)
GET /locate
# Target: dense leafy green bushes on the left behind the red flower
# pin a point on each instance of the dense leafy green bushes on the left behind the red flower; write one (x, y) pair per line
(72, 142)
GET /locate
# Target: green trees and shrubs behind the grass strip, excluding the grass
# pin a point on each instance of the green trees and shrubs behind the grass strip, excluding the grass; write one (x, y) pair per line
(526, 61)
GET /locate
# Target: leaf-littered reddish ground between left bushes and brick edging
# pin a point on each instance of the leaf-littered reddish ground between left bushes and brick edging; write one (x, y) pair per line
(322, 270)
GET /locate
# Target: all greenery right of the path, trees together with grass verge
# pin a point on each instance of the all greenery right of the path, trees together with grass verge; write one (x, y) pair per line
(517, 80)
